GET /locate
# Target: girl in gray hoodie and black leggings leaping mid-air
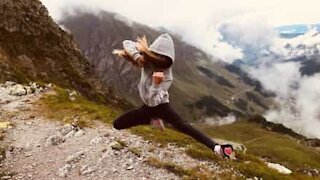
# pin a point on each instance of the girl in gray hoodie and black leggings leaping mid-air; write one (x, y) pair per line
(156, 77)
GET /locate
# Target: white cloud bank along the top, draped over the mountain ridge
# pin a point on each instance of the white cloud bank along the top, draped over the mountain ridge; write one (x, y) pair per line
(197, 21)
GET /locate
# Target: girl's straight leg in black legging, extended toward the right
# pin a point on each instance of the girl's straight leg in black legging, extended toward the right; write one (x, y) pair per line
(170, 116)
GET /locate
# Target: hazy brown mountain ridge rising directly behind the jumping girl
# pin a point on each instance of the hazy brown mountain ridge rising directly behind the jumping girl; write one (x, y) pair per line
(203, 85)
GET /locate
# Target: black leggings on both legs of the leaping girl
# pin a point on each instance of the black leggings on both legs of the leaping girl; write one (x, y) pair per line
(144, 114)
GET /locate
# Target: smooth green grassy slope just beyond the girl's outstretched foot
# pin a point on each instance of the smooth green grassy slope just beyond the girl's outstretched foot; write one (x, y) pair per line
(263, 143)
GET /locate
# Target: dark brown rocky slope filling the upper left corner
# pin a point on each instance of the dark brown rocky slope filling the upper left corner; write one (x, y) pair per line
(34, 48)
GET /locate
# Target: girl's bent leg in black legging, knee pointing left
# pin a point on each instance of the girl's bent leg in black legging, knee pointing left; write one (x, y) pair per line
(132, 118)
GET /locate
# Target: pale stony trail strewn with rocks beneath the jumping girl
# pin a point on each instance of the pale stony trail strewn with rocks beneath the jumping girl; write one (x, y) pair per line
(39, 148)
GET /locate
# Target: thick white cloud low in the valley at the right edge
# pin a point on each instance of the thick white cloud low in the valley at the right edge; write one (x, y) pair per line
(301, 112)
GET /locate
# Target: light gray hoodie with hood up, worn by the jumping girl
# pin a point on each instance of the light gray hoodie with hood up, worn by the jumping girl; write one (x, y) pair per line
(150, 93)
